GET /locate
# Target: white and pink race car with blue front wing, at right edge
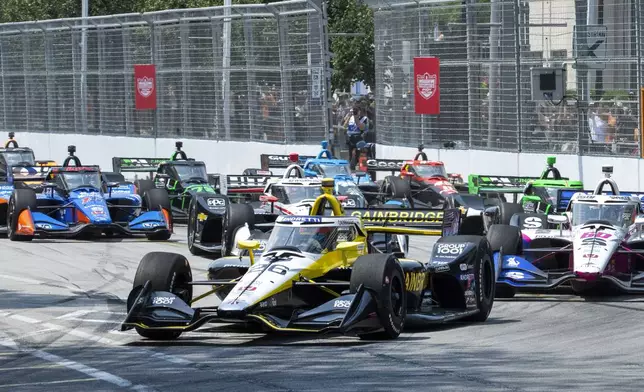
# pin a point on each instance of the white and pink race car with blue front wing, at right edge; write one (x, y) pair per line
(597, 243)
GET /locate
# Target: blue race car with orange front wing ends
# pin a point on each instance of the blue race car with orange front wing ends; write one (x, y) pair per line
(74, 201)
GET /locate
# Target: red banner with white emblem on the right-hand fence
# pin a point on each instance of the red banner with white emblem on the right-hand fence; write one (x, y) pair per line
(427, 94)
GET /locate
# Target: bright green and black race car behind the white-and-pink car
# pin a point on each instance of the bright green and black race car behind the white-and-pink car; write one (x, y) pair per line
(540, 194)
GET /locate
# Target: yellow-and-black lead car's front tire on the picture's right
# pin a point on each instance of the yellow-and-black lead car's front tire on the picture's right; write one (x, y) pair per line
(371, 271)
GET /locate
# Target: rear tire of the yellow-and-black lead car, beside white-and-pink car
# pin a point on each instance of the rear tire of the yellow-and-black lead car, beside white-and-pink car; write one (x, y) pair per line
(484, 277)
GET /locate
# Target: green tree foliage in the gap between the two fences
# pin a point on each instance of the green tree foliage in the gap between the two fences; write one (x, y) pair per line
(353, 56)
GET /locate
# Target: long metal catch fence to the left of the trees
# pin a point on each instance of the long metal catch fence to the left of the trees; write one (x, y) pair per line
(271, 87)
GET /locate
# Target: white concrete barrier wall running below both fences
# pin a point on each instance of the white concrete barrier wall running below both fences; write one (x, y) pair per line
(234, 157)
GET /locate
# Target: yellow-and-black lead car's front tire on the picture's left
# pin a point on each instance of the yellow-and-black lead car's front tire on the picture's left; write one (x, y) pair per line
(166, 272)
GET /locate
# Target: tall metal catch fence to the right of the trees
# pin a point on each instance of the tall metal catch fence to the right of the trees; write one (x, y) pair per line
(486, 49)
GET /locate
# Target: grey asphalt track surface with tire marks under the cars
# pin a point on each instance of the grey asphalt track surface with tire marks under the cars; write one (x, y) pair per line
(61, 303)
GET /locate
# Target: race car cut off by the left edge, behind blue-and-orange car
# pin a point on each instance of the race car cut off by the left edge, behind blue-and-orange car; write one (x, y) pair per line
(18, 167)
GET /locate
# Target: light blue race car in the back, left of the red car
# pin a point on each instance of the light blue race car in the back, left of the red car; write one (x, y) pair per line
(324, 165)
